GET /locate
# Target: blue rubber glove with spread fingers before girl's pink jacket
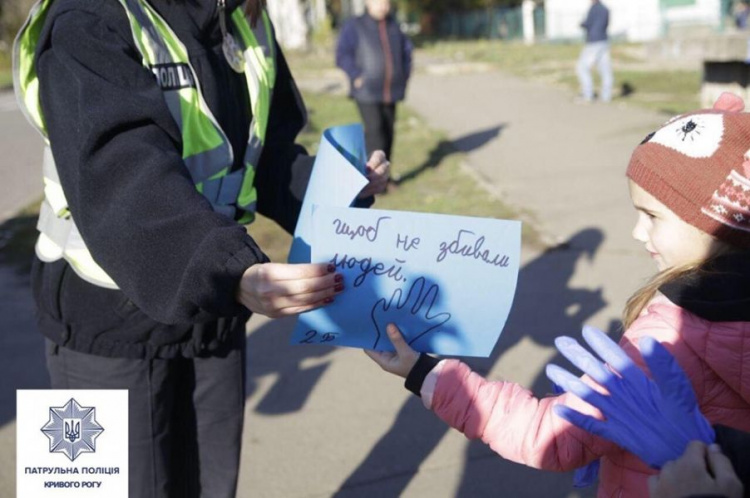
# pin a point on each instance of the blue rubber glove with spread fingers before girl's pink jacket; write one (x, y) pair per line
(653, 419)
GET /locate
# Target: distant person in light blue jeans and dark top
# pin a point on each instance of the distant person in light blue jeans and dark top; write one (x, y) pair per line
(595, 52)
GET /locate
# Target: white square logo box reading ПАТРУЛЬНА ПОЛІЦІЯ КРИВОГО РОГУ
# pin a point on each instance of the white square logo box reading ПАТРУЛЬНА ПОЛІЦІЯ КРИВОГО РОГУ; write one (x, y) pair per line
(72, 443)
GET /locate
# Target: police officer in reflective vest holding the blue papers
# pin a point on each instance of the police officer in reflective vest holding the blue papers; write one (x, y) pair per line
(169, 124)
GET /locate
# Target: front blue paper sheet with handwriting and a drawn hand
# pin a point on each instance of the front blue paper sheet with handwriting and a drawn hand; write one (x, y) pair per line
(447, 281)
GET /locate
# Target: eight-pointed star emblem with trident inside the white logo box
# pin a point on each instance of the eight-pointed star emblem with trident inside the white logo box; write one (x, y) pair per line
(72, 429)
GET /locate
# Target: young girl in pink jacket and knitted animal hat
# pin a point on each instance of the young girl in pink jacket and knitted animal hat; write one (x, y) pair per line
(689, 184)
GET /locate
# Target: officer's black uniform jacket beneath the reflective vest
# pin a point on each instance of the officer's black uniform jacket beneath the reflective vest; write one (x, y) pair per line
(118, 154)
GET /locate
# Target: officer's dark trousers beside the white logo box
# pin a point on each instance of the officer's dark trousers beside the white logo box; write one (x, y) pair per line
(185, 417)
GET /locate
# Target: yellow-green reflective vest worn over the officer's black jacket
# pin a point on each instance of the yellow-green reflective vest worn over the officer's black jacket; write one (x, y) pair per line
(207, 152)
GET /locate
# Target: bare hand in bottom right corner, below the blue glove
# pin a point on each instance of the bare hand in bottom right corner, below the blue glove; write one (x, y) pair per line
(699, 471)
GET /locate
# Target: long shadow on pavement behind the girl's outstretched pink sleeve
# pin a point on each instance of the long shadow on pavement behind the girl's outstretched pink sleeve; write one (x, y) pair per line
(545, 307)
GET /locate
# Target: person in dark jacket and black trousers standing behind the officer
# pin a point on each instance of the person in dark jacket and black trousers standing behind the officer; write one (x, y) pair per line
(376, 56)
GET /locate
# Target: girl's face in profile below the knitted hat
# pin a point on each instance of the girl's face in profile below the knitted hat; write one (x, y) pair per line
(670, 241)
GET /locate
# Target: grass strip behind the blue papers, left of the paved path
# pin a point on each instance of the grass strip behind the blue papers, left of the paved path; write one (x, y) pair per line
(430, 169)
